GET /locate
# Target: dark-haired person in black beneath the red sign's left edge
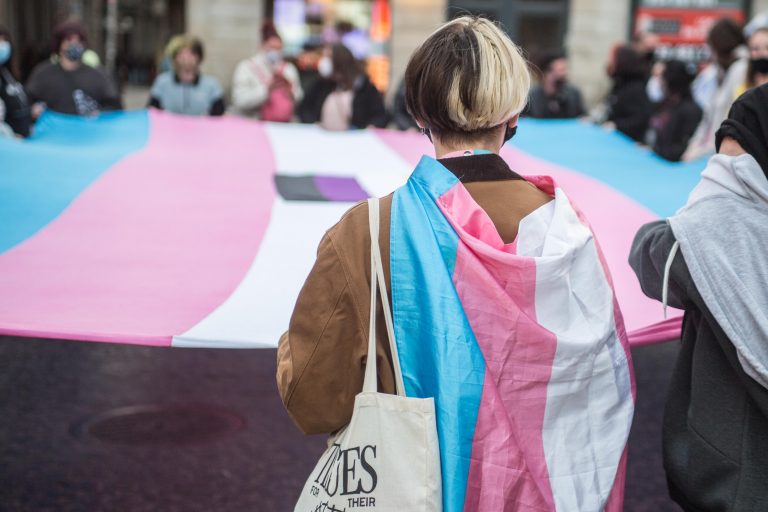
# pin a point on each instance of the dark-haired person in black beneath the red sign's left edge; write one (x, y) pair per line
(629, 108)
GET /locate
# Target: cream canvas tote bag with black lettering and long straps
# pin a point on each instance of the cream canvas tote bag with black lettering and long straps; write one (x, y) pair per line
(387, 459)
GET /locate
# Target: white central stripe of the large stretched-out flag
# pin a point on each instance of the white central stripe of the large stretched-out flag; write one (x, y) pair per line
(258, 311)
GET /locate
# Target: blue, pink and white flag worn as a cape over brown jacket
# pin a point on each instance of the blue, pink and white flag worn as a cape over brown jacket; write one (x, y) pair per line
(522, 346)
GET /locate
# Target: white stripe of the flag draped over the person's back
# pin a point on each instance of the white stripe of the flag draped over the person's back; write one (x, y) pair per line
(589, 402)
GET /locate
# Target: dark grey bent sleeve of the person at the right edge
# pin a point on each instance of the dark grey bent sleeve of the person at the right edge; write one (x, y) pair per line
(650, 250)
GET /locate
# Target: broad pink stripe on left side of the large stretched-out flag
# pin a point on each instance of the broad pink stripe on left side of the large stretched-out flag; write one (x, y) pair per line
(154, 246)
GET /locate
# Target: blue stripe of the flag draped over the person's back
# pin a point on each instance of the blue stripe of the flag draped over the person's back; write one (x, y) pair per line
(439, 354)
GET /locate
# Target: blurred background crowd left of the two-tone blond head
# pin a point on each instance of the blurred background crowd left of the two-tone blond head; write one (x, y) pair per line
(265, 86)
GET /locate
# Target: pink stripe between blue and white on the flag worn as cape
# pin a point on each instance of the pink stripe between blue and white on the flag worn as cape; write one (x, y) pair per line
(508, 464)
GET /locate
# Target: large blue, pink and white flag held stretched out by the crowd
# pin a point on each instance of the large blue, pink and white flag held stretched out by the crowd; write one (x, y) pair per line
(153, 229)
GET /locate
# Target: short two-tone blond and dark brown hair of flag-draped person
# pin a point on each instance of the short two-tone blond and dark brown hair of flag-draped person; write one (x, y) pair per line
(467, 77)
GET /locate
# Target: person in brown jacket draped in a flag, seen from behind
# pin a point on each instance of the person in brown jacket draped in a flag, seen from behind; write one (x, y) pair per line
(504, 310)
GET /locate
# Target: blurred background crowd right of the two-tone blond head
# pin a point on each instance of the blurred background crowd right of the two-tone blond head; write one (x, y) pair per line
(672, 107)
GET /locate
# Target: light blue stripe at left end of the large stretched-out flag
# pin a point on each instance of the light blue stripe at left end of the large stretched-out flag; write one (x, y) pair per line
(40, 177)
